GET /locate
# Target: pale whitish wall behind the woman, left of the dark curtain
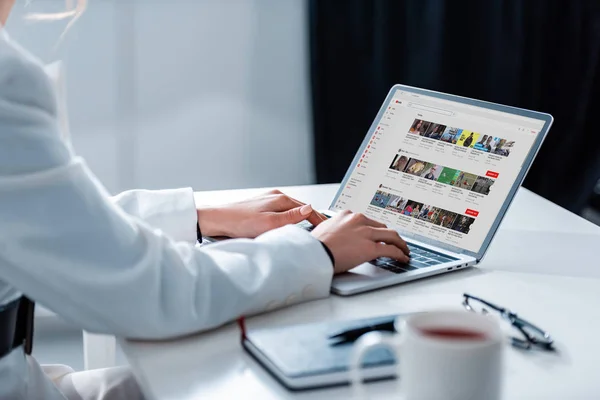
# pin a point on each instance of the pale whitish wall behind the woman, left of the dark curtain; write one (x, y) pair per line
(204, 93)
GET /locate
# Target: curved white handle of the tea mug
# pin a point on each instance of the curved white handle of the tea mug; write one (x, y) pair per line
(363, 345)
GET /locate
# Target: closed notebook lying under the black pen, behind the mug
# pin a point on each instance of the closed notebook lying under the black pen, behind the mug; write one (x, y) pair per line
(303, 357)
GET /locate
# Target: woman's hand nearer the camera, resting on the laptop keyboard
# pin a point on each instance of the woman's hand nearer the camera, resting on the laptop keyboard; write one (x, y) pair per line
(354, 239)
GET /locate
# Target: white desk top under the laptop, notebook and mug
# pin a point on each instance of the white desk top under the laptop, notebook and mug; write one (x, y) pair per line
(561, 294)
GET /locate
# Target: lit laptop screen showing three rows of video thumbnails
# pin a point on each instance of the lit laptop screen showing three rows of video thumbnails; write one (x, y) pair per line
(439, 169)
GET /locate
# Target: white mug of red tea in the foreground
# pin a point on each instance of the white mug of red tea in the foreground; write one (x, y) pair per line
(450, 355)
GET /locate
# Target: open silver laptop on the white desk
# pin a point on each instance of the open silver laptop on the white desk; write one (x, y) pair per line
(442, 170)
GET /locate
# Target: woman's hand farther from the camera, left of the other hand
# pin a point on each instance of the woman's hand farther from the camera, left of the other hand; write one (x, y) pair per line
(253, 217)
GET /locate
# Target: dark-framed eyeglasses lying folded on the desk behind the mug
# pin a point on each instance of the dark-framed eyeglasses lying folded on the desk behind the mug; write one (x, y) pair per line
(532, 336)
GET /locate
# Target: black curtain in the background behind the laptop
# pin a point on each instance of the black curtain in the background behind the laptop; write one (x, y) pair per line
(538, 54)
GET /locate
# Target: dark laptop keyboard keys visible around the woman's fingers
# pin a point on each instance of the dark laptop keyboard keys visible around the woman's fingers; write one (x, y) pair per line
(419, 257)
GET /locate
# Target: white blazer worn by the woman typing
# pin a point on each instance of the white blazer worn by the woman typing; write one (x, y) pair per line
(128, 265)
